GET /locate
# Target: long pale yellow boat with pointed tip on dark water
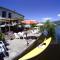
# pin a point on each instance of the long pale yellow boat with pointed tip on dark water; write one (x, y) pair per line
(39, 49)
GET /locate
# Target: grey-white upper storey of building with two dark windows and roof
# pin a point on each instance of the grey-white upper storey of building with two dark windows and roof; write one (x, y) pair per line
(7, 13)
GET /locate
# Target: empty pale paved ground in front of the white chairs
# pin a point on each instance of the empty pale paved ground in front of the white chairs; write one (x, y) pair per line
(16, 47)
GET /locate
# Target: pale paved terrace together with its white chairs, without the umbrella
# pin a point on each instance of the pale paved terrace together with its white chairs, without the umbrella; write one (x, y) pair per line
(24, 39)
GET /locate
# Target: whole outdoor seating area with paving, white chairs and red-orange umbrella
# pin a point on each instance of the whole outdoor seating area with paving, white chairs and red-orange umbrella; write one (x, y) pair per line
(19, 36)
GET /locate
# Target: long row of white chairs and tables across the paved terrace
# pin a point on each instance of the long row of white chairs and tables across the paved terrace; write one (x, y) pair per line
(24, 34)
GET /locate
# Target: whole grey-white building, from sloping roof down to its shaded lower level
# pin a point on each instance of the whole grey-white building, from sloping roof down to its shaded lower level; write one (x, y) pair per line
(9, 18)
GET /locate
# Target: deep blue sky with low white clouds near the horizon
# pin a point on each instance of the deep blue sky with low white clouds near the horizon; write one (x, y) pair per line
(40, 10)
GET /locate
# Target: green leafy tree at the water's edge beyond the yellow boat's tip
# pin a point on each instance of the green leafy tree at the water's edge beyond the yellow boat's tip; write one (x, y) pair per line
(50, 28)
